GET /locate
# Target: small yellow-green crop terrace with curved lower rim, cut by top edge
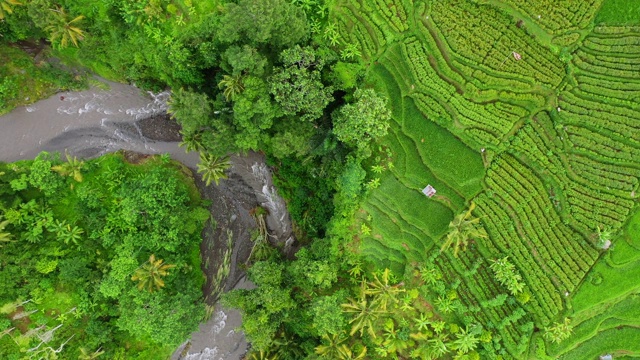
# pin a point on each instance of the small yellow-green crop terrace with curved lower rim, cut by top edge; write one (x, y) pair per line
(556, 18)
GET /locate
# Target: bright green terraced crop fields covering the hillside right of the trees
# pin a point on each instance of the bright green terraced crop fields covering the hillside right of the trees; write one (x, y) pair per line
(532, 111)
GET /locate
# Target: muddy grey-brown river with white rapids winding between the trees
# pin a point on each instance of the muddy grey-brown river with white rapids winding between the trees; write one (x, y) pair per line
(94, 122)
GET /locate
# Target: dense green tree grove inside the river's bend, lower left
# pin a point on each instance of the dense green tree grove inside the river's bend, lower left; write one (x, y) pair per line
(67, 240)
